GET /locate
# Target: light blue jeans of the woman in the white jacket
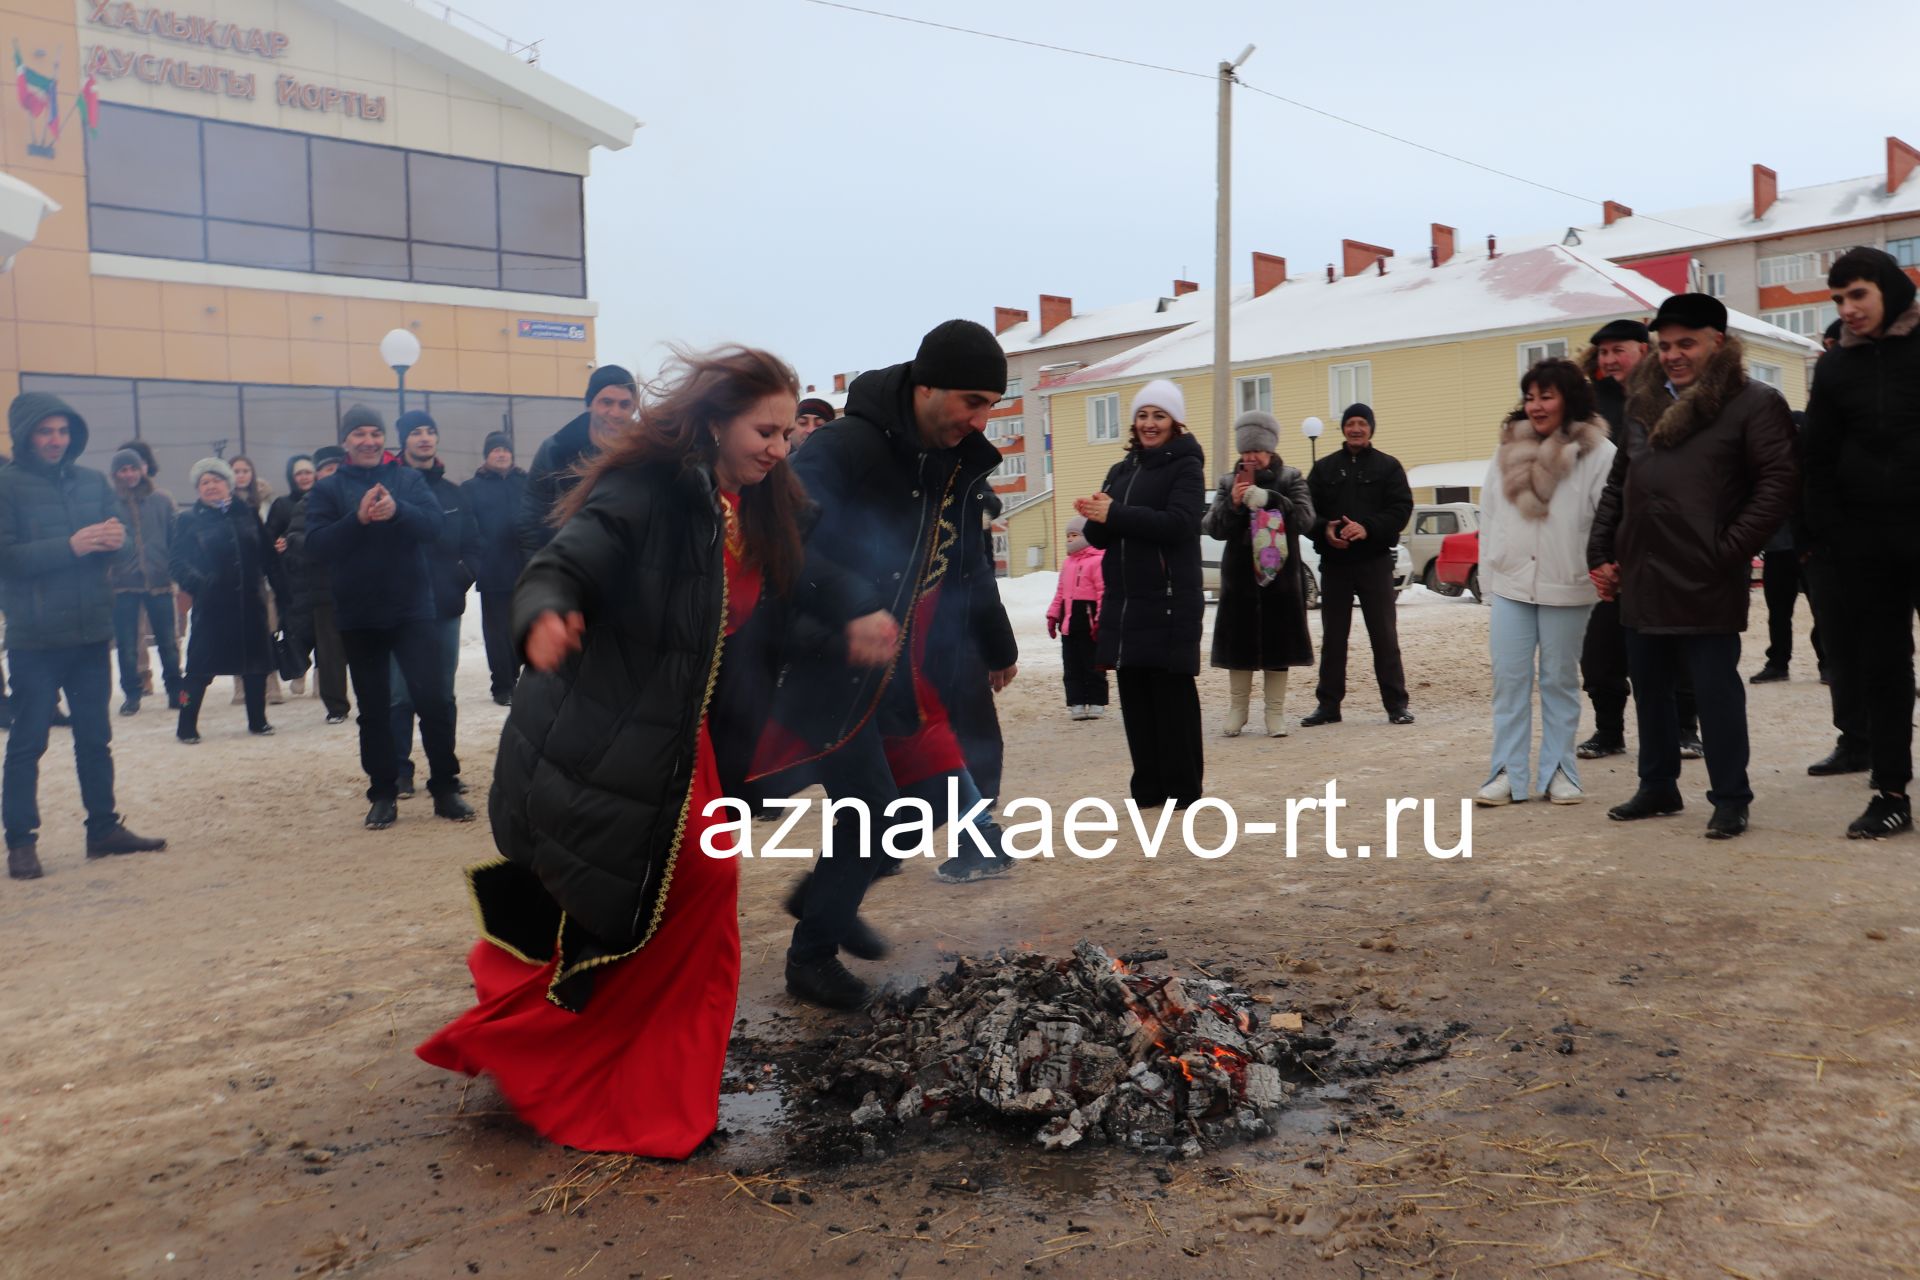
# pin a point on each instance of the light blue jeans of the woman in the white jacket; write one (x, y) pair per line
(1520, 636)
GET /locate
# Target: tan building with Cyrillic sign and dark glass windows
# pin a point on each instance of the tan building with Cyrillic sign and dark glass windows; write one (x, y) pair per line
(252, 193)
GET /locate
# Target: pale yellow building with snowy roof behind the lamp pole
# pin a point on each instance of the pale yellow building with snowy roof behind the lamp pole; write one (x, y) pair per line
(1437, 350)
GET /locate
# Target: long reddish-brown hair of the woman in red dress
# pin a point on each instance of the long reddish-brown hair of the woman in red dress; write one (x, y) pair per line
(698, 394)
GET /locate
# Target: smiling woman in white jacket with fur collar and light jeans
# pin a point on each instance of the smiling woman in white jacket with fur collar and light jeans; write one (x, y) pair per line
(1537, 511)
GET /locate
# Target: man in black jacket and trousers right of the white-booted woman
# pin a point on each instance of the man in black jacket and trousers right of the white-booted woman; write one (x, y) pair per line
(1360, 506)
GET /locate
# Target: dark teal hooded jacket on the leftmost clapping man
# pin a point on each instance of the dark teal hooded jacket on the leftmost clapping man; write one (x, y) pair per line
(51, 598)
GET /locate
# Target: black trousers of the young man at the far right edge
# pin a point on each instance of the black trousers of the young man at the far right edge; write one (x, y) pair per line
(1879, 602)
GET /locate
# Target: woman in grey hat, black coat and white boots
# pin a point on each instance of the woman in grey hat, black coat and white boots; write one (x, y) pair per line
(1262, 617)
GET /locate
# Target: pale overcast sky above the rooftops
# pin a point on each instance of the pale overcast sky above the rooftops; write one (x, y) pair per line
(832, 185)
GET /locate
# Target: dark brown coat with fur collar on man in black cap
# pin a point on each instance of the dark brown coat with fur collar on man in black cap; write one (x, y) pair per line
(1698, 488)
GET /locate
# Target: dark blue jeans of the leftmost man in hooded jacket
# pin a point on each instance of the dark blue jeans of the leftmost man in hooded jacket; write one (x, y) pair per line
(39, 676)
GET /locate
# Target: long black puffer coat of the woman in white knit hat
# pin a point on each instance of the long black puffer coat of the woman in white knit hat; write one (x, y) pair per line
(1155, 602)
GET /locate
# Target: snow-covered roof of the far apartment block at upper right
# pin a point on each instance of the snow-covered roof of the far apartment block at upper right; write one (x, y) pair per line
(1798, 210)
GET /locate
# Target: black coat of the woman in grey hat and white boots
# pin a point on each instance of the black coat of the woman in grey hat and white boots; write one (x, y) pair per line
(1260, 628)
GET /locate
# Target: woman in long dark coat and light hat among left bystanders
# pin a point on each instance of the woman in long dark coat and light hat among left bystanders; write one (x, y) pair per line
(222, 557)
